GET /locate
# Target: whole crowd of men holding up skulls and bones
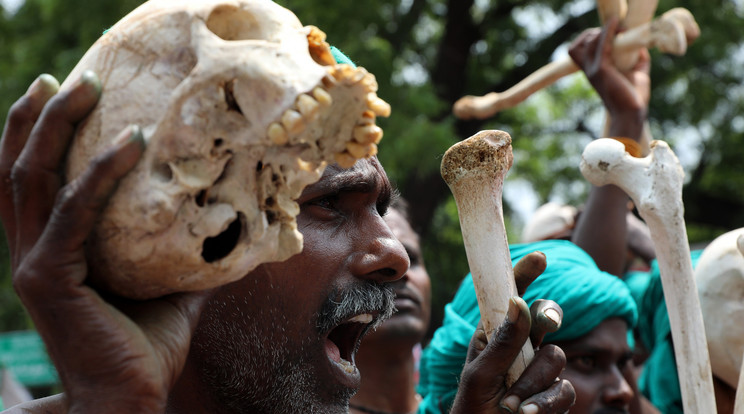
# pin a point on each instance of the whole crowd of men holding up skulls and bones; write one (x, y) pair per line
(284, 338)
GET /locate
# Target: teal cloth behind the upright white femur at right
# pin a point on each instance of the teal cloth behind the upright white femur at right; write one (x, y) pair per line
(659, 381)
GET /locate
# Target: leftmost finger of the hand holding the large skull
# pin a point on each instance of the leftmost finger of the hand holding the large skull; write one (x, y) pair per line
(21, 119)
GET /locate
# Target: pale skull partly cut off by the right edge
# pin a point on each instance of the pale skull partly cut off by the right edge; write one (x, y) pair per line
(719, 275)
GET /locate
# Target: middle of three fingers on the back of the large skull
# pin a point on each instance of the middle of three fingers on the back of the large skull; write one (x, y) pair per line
(36, 175)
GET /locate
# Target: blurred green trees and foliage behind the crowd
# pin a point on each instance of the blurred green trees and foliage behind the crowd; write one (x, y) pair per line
(428, 53)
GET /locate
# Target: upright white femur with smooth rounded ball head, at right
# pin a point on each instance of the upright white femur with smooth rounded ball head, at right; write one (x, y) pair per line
(655, 185)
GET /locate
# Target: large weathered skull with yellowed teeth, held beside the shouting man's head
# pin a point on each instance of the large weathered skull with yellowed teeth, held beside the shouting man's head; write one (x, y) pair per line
(241, 108)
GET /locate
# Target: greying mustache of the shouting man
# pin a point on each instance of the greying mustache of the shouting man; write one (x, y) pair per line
(342, 304)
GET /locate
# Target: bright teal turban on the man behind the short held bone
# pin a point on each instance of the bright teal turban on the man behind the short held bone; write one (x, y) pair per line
(587, 295)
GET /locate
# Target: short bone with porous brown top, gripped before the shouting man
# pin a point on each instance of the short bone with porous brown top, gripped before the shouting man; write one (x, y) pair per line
(474, 170)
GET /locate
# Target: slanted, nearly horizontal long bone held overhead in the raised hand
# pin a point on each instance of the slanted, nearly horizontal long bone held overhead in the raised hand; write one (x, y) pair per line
(670, 33)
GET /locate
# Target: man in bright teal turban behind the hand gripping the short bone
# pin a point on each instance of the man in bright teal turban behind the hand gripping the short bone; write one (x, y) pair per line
(592, 301)
